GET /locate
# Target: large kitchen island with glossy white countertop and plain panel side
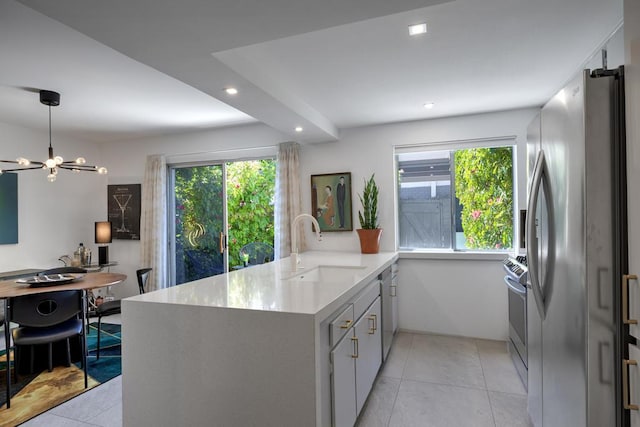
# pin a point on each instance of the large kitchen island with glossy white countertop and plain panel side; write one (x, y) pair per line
(251, 347)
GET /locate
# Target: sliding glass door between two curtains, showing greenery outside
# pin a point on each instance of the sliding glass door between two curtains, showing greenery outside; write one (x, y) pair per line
(217, 212)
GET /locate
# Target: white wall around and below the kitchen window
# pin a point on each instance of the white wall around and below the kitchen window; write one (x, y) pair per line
(453, 296)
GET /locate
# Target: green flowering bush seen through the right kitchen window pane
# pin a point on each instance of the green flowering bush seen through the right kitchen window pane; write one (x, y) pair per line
(484, 187)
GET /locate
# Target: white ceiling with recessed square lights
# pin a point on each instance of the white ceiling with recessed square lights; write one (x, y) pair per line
(133, 68)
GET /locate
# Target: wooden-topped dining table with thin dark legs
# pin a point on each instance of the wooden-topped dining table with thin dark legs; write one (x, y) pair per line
(16, 288)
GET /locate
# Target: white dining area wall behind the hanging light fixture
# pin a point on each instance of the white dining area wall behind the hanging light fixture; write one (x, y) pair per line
(52, 217)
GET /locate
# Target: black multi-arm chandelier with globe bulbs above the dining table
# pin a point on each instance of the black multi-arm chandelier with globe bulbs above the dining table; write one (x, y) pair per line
(53, 163)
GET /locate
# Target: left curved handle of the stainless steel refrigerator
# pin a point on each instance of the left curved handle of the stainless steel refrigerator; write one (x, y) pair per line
(532, 242)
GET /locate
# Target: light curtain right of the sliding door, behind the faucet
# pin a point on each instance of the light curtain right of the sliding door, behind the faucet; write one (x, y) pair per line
(288, 197)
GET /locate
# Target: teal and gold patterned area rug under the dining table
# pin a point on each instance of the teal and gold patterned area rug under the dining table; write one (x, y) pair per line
(37, 393)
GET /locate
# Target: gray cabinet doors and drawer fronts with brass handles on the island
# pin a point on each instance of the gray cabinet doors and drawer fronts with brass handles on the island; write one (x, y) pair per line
(356, 357)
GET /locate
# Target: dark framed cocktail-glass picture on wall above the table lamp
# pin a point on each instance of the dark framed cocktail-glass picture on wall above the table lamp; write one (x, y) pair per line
(124, 211)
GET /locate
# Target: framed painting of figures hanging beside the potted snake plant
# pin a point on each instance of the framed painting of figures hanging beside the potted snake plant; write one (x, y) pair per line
(331, 201)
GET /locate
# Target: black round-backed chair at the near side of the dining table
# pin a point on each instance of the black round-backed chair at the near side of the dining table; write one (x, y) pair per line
(46, 318)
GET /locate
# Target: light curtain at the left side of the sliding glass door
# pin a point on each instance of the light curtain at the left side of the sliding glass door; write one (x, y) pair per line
(153, 221)
